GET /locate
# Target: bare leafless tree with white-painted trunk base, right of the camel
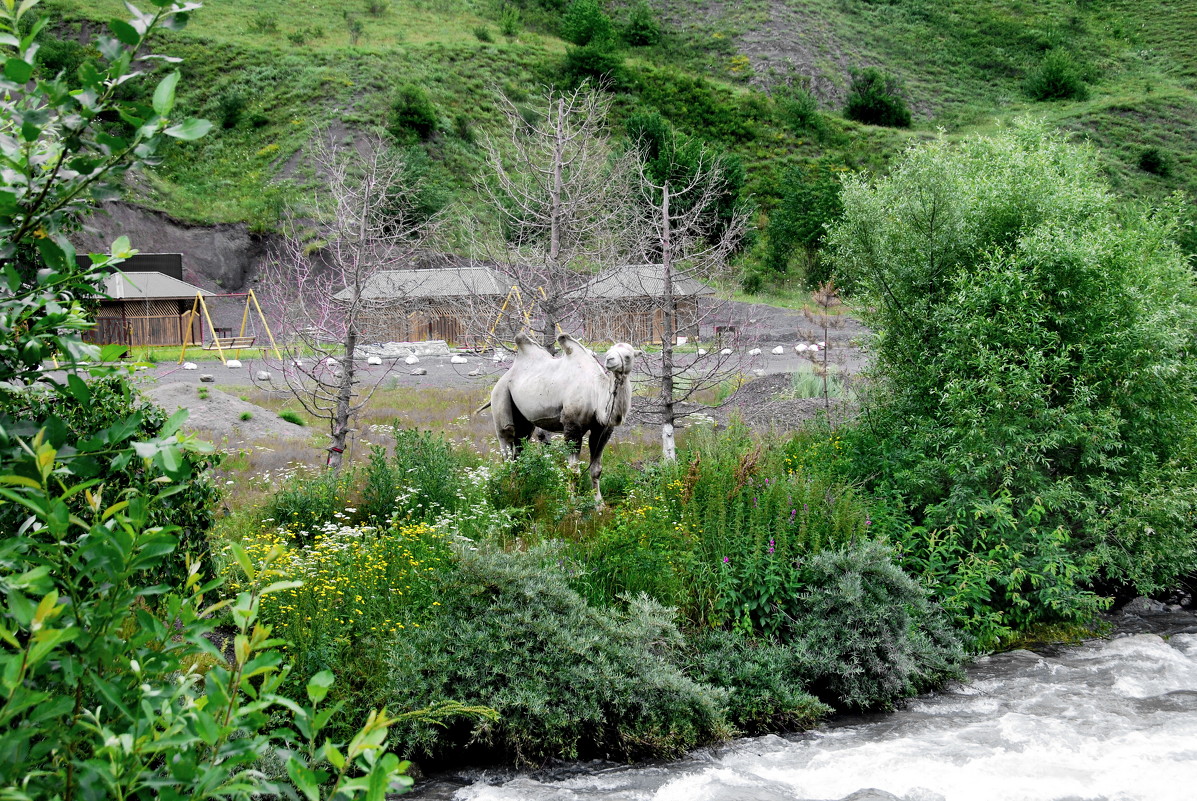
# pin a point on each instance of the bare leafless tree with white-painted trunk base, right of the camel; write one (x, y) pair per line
(689, 246)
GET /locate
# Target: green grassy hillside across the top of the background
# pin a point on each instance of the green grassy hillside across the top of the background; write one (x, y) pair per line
(275, 71)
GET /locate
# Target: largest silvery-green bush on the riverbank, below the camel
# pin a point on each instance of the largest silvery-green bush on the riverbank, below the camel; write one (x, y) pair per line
(567, 679)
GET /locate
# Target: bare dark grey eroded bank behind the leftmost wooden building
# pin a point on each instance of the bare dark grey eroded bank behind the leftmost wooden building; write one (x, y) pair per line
(218, 258)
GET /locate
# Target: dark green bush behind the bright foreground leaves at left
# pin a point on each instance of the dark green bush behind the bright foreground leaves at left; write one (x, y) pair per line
(110, 405)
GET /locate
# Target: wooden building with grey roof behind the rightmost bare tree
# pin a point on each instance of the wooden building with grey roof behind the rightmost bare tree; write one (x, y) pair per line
(627, 305)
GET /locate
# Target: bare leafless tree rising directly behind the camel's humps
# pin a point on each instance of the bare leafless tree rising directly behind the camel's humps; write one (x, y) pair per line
(561, 198)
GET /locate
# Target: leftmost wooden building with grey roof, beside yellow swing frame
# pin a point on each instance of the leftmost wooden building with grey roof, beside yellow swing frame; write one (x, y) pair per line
(148, 304)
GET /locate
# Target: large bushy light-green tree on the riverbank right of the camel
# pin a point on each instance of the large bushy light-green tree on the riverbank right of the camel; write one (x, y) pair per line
(1034, 372)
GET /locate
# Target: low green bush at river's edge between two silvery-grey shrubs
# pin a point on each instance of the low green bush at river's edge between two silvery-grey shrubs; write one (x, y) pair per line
(764, 681)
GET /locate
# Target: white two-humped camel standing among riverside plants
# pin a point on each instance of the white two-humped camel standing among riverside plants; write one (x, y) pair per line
(569, 395)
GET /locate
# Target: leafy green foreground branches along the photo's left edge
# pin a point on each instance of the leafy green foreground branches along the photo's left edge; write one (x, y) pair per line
(108, 687)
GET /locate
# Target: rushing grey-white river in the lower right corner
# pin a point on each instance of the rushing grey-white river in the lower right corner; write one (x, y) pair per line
(1113, 719)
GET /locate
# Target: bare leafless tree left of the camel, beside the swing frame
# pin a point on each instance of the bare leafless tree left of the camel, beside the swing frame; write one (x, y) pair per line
(327, 287)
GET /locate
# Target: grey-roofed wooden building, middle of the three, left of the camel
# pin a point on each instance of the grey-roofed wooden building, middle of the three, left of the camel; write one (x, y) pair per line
(457, 304)
